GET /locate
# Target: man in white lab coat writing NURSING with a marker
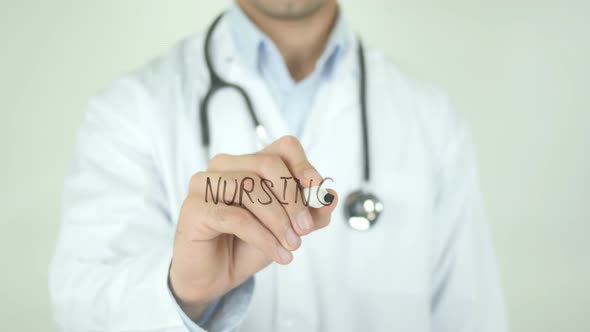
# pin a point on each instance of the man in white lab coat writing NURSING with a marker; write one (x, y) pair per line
(141, 250)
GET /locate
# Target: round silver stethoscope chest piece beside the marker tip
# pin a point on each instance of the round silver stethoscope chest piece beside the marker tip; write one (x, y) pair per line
(362, 210)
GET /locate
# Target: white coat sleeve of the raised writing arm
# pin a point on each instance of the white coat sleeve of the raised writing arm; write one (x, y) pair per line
(110, 268)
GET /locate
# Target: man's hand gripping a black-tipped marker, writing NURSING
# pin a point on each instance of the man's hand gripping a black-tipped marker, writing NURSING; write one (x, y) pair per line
(218, 247)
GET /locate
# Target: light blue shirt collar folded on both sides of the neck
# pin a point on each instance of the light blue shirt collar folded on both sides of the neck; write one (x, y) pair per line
(253, 45)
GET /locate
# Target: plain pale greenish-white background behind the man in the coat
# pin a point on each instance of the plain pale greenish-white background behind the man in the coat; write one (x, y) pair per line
(518, 70)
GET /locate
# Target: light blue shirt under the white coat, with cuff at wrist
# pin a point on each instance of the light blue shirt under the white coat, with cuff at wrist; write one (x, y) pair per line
(258, 53)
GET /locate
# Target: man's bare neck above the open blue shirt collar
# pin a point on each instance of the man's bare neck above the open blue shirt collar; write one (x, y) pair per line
(300, 41)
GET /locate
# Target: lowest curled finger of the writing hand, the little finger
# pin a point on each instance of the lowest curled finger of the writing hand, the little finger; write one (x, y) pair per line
(241, 223)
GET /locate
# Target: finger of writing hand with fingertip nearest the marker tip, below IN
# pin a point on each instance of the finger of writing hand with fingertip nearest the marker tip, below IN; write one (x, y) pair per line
(284, 187)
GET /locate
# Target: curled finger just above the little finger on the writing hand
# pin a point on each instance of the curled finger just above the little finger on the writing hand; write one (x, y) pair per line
(246, 189)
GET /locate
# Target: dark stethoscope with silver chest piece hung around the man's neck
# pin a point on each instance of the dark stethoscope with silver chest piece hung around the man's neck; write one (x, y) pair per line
(362, 208)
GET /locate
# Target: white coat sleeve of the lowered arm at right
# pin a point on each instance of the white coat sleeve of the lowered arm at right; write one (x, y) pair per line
(466, 289)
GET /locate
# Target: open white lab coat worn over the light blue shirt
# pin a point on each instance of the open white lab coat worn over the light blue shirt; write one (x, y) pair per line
(426, 266)
